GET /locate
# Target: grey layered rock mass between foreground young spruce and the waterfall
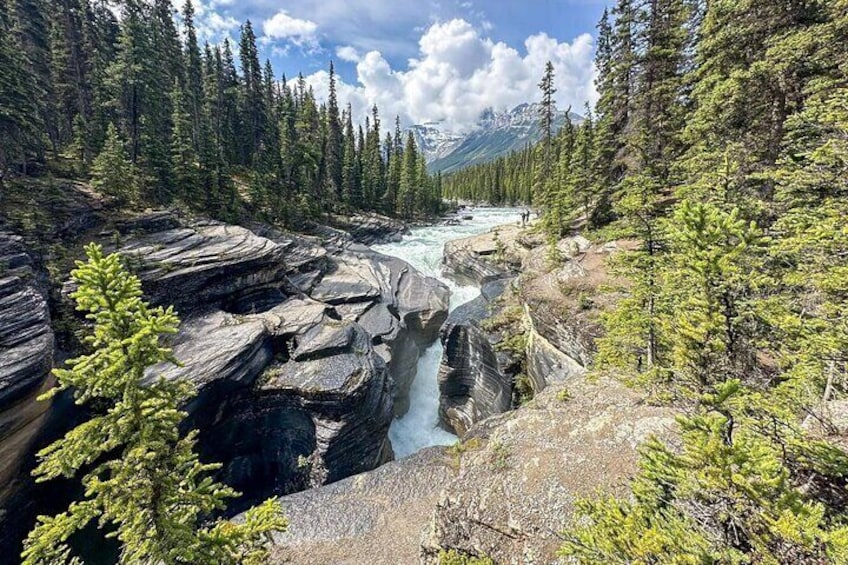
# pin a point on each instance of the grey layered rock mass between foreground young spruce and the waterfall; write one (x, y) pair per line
(283, 338)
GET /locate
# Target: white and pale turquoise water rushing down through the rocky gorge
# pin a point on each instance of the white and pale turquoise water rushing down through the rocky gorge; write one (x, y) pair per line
(419, 427)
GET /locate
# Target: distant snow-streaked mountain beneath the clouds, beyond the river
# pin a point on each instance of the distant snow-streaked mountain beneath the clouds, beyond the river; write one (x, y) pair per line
(496, 134)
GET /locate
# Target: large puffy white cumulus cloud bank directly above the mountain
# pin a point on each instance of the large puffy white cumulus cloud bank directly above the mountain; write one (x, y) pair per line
(458, 73)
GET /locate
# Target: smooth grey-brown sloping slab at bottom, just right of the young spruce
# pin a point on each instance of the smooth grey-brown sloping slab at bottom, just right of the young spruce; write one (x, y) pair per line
(376, 517)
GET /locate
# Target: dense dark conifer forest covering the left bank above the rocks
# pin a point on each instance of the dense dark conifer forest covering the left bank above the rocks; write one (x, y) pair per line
(151, 116)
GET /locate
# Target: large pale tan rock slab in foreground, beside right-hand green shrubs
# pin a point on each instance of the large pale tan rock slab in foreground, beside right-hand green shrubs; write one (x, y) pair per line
(521, 472)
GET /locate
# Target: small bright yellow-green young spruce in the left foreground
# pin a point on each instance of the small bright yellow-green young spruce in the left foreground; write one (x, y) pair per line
(147, 481)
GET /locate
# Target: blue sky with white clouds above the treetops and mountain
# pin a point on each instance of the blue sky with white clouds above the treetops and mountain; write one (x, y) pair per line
(424, 60)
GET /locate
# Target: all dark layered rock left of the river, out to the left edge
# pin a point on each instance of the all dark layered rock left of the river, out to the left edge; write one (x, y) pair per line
(301, 347)
